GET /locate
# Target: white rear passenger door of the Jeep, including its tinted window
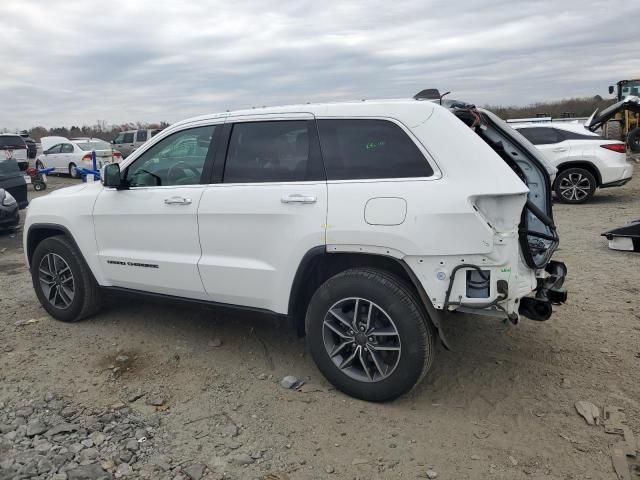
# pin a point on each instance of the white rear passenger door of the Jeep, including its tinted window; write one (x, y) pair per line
(264, 210)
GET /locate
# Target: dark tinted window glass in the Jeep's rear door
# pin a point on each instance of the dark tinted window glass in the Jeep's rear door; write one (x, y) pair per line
(274, 151)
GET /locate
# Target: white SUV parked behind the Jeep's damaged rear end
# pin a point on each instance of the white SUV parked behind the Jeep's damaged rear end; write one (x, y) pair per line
(585, 161)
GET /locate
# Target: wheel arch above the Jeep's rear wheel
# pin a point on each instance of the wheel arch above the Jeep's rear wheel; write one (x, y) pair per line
(318, 265)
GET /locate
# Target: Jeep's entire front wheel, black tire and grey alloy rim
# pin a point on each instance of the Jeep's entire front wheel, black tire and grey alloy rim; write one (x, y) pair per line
(62, 280)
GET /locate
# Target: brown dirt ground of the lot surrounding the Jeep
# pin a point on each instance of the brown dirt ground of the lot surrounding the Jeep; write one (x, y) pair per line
(499, 406)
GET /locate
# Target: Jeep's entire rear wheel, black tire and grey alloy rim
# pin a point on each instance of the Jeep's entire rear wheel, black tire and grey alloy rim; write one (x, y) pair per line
(368, 334)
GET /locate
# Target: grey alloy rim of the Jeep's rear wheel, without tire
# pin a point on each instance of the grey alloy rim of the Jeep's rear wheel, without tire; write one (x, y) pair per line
(361, 339)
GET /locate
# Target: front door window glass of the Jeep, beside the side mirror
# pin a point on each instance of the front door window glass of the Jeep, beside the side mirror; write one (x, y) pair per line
(176, 160)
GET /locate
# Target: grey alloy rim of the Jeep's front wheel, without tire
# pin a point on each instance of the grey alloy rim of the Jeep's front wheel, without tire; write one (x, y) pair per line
(56, 280)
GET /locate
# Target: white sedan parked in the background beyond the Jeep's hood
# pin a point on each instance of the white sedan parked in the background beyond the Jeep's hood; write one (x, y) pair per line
(68, 156)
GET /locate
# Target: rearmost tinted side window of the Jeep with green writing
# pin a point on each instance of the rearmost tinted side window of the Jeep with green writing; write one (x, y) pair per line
(360, 149)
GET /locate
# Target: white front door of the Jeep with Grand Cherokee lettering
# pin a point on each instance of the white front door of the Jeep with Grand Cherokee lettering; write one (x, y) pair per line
(147, 235)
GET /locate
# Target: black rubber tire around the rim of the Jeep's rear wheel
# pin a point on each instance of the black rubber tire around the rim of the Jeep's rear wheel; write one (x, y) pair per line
(414, 334)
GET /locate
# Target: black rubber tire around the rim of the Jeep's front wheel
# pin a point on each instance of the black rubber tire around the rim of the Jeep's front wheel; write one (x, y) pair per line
(85, 300)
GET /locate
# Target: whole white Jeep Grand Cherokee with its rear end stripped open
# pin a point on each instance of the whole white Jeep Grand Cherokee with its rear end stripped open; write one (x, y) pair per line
(363, 222)
